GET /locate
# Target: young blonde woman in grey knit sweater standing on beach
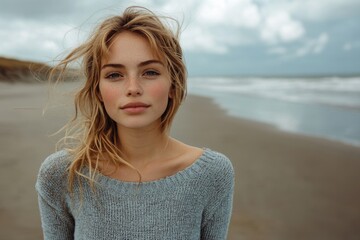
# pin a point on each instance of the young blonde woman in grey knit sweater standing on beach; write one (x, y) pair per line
(125, 177)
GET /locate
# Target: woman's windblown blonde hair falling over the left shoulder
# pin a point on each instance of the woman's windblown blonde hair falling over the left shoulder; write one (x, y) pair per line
(91, 132)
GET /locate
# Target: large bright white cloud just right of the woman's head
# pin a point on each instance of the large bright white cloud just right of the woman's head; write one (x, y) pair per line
(217, 26)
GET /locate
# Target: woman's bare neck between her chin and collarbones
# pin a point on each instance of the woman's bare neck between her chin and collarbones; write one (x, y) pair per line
(141, 146)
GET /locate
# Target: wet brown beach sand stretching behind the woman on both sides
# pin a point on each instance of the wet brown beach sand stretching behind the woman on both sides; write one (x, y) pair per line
(287, 186)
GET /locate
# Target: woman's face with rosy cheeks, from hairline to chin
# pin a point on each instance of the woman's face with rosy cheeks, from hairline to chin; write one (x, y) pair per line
(134, 83)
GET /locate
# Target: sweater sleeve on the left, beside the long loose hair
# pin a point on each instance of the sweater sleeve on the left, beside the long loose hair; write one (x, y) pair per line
(57, 221)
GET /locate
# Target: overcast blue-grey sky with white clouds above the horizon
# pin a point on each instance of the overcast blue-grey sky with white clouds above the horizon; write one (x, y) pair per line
(219, 37)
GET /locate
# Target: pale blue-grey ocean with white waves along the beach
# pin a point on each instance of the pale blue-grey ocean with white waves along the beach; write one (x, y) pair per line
(326, 107)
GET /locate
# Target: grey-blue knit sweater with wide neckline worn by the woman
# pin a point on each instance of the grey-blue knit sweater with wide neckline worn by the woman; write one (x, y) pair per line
(194, 203)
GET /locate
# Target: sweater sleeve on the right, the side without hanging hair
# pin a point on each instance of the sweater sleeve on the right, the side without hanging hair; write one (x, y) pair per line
(217, 214)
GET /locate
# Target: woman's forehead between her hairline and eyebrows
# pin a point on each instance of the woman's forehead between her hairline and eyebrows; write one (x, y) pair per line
(130, 47)
